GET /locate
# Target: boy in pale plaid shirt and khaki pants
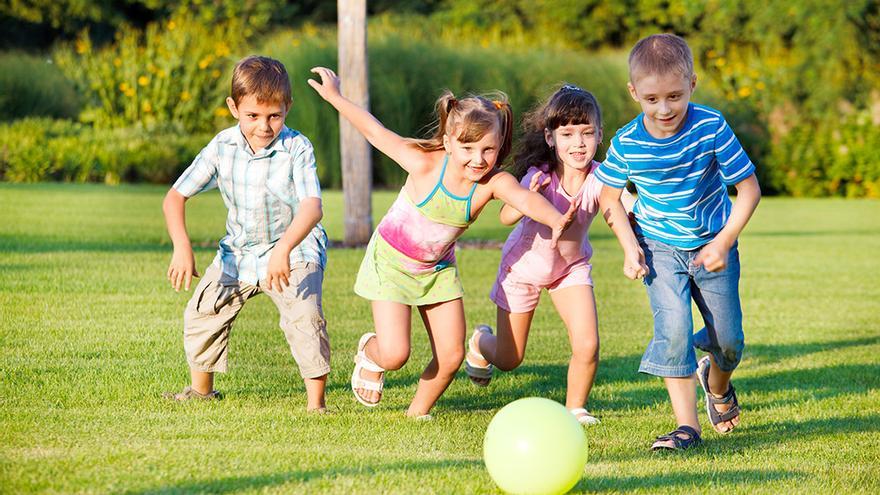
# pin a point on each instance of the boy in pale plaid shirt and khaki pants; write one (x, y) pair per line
(274, 242)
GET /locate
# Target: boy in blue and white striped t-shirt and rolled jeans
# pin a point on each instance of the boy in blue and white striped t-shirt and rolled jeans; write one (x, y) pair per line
(681, 157)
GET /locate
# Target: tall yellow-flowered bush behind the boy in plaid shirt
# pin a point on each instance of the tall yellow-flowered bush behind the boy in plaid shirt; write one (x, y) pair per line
(174, 73)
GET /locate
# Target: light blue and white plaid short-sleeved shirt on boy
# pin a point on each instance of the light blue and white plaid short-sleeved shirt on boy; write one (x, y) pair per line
(262, 192)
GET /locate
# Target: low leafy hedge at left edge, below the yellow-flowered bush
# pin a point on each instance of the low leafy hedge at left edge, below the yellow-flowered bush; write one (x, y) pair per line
(33, 150)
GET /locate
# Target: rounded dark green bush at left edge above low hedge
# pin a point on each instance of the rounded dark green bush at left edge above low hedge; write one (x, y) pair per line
(34, 86)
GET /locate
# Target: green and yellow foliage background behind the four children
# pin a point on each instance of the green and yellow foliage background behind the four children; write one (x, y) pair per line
(796, 80)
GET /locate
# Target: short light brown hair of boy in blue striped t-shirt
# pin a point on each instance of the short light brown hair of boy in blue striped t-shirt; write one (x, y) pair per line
(660, 54)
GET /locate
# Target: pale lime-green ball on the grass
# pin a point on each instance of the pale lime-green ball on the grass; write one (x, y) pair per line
(535, 446)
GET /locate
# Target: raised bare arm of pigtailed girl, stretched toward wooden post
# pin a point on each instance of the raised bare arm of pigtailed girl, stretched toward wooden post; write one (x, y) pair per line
(377, 134)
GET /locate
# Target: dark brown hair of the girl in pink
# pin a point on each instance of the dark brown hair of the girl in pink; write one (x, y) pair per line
(569, 105)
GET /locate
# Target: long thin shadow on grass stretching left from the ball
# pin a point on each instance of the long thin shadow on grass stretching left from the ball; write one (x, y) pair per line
(261, 482)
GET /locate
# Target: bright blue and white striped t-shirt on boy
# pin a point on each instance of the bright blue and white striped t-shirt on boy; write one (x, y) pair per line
(681, 180)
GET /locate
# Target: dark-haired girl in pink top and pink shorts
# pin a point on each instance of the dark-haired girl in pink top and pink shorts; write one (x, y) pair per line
(556, 159)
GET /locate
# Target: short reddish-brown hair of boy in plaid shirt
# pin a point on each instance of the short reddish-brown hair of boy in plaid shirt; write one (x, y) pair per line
(263, 77)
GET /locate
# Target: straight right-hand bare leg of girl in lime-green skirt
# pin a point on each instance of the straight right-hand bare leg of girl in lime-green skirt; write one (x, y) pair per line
(446, 330)
